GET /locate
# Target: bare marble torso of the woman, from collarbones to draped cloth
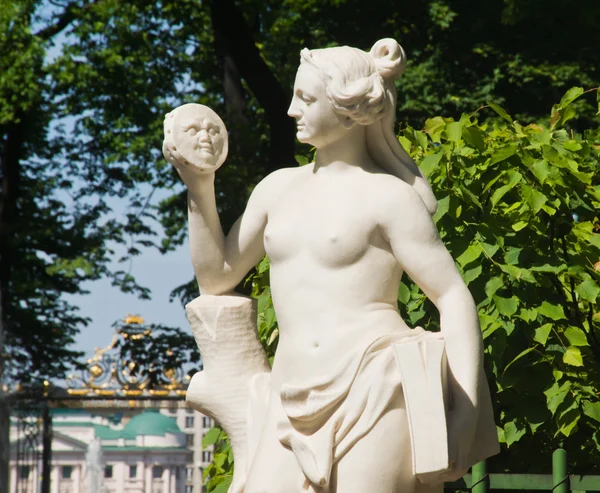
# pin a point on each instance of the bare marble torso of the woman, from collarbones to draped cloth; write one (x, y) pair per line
(334, 279)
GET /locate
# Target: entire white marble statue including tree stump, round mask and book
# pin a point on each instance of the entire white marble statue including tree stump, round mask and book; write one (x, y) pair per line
(356, 401)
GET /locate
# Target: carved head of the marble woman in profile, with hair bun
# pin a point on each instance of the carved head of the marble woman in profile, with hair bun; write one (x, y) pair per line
(337, 88)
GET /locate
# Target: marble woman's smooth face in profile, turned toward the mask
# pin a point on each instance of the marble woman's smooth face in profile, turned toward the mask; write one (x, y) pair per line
(318, 124)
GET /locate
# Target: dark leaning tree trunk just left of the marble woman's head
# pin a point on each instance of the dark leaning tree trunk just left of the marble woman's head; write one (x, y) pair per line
(234, 36)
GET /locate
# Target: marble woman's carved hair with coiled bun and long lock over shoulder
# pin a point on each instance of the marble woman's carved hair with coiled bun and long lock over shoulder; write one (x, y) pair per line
(360, 86)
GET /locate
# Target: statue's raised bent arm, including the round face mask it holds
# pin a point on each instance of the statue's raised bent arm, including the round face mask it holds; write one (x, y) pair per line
(196, 144)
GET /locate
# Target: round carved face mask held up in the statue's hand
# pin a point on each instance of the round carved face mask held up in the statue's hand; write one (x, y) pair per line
(198, 134)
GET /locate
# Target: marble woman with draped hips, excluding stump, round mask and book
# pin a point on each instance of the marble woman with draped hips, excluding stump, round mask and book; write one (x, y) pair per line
(340, 233)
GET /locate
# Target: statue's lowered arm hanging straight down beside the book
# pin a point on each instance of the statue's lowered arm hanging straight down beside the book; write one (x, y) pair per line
(416, 245)
